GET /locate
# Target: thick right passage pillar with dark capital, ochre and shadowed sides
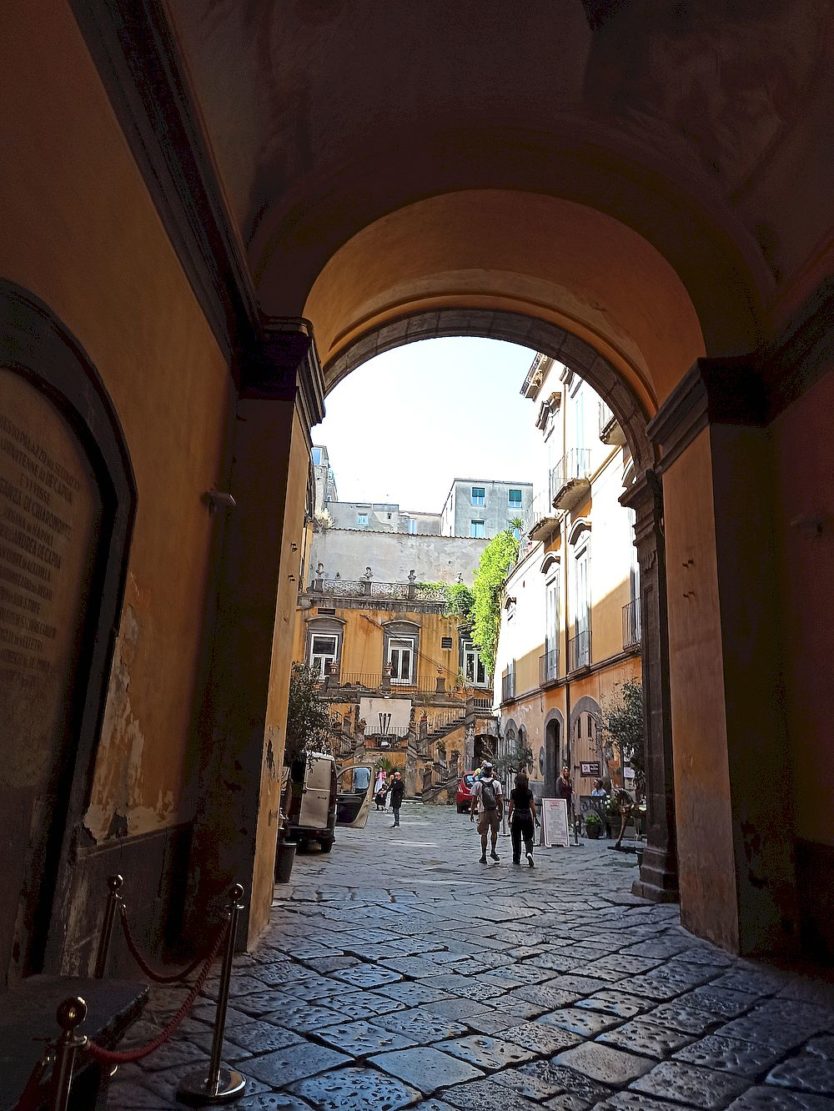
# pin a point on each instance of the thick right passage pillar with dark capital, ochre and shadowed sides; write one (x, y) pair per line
(731, 767)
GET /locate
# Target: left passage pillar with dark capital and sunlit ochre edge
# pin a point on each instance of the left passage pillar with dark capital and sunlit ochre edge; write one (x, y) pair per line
(246, 712)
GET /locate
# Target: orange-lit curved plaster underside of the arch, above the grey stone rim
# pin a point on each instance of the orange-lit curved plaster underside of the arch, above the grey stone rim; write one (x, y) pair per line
(551, 261)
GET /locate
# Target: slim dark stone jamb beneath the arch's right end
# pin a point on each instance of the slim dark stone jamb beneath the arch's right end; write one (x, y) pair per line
(659, 872)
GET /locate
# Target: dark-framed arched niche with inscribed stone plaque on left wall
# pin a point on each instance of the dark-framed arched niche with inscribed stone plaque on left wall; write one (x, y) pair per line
(67, 502)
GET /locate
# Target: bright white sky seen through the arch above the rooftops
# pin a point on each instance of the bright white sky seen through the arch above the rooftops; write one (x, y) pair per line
(406, 424)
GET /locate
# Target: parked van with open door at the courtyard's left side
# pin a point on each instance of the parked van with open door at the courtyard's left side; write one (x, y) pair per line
(317, 799)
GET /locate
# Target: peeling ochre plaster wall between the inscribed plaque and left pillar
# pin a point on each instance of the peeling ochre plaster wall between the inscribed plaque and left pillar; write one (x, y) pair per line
(81, 232)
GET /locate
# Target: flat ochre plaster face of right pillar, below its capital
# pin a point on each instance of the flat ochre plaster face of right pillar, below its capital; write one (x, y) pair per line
(699, 728)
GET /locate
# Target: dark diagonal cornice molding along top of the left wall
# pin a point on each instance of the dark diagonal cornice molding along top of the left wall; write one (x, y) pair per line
(136, 53)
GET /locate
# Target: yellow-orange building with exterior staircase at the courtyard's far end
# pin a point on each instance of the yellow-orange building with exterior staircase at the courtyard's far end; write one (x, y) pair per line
(403, 680)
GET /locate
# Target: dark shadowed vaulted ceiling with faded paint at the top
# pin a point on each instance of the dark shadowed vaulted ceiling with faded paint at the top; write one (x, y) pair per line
(686, 123)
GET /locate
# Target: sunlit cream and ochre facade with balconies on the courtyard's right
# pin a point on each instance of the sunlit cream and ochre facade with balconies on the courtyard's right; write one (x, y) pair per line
(570, 625)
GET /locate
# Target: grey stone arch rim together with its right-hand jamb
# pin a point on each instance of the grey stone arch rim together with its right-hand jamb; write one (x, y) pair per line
(659, 870)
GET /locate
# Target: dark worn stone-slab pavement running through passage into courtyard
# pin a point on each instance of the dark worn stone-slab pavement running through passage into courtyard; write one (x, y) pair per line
(400, 973)
